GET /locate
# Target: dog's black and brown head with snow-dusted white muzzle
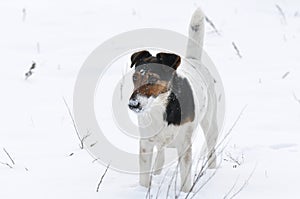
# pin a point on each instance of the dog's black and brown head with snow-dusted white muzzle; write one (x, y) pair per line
(151, 78)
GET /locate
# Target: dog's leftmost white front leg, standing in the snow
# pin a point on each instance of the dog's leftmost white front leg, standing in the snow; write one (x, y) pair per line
(146, 151)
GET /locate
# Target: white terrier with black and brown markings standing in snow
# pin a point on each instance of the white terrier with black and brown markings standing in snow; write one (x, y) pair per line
(161, 91)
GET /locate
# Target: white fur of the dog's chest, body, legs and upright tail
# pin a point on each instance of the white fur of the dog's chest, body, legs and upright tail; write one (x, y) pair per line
(180, 137)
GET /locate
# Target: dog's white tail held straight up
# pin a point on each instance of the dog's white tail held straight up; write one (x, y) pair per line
(196, 35)
